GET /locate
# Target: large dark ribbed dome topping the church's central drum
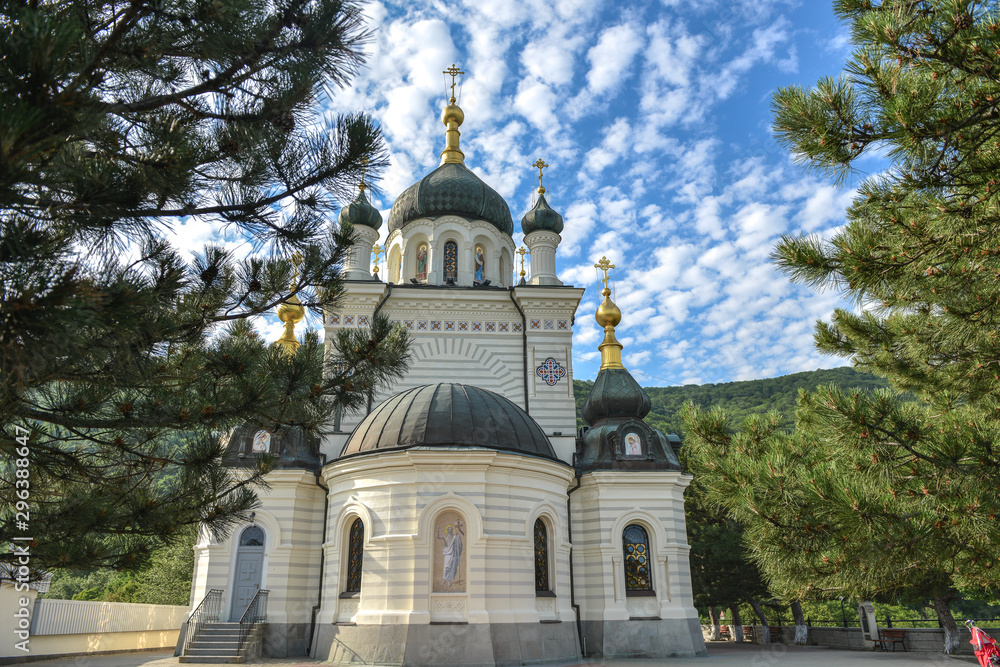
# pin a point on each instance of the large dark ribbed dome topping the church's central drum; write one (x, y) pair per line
(452, 189)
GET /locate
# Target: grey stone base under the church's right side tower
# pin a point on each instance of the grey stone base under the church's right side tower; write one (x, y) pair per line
(647, 639)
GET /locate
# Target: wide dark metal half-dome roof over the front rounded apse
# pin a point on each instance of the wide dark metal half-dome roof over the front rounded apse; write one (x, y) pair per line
(446, 415)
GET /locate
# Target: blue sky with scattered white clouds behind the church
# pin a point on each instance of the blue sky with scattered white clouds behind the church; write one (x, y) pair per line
(655, 118)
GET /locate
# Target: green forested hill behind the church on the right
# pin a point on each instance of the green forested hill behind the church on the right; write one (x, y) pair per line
(740, 398)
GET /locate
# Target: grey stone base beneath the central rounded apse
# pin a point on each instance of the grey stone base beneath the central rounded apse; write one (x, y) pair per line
(474, 645)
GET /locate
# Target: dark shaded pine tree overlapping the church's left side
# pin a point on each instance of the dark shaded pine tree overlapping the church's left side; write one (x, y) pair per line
(121, 362)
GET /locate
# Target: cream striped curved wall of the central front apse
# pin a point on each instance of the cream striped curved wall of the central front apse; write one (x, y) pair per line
(398, 494)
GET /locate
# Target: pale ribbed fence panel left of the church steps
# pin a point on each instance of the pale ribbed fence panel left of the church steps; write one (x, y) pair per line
(70, 617)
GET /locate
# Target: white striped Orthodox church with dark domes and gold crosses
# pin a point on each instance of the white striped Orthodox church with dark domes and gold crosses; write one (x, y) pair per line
(463, 519)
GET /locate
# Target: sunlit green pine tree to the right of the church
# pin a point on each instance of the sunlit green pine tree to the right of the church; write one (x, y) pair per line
(872, 494)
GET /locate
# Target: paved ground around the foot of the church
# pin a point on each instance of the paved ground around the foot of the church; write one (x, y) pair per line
(719, 653)
